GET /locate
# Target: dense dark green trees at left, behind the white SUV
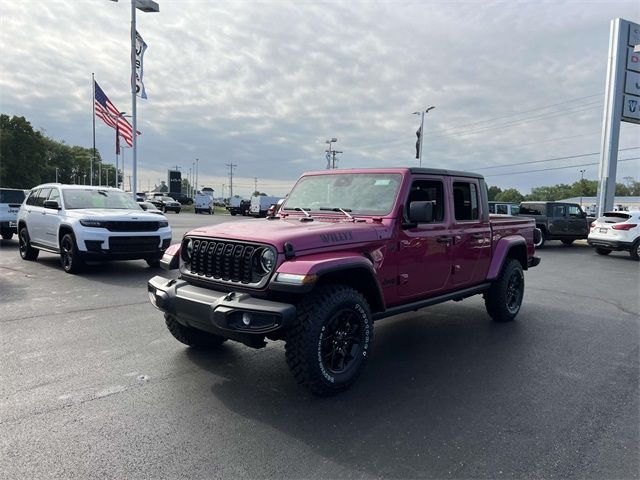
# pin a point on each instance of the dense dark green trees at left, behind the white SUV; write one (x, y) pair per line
(29, 158)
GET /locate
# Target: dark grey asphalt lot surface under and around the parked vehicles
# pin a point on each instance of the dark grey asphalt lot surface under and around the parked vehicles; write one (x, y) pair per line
(92, 385)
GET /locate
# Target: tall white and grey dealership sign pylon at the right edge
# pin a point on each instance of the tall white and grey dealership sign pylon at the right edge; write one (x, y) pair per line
(621, 103)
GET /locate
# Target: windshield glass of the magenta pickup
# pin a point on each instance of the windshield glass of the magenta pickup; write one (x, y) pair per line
(358, 193)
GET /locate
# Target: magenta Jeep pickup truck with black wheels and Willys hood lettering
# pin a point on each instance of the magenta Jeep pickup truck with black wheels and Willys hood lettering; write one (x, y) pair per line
(347, 248)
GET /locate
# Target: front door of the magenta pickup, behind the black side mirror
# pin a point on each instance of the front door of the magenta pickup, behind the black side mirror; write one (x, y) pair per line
(424, 260)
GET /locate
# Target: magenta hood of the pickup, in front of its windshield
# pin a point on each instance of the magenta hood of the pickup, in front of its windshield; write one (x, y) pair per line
(301, 235)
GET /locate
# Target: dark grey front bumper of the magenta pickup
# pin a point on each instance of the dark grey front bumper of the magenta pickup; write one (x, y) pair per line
(221, 313)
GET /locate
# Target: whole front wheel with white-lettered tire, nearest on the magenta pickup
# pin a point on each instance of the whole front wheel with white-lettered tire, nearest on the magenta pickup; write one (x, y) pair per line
(327, 348)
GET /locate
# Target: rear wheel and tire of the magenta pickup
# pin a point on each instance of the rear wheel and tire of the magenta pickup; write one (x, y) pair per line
(504, 297)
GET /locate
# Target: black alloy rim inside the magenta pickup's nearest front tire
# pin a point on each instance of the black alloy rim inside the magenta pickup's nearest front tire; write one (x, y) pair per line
(342, 341)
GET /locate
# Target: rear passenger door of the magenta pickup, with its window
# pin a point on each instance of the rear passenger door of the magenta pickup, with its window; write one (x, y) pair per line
(471, 234)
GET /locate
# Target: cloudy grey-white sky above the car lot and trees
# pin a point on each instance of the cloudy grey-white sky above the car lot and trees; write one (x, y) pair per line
(263, 84)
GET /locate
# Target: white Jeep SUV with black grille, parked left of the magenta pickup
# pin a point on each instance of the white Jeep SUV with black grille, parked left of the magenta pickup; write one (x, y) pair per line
(89, 223)
